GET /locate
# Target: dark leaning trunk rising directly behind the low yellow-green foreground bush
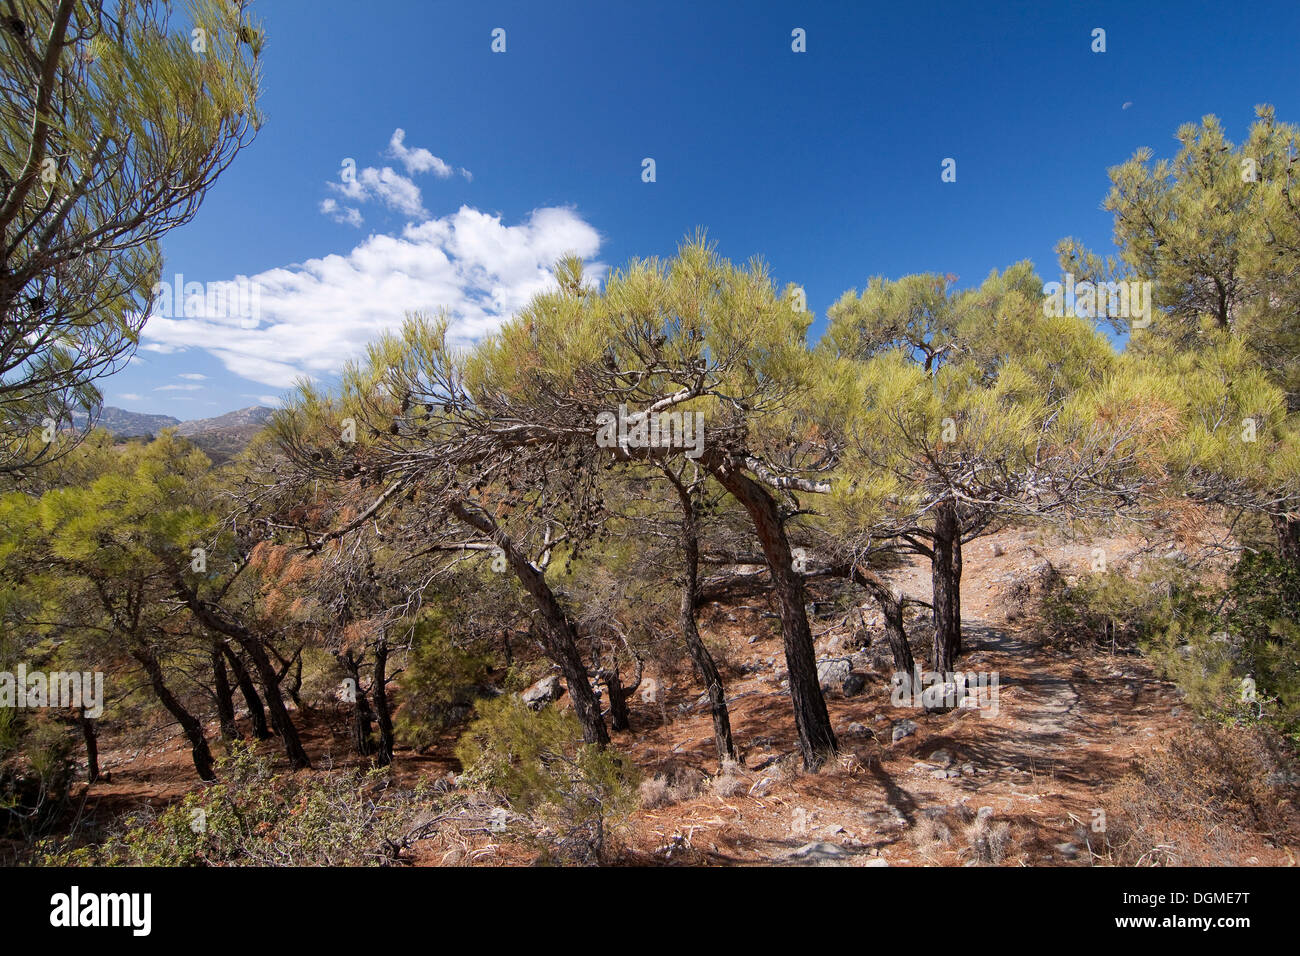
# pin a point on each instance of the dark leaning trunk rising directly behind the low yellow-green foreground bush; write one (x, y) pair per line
(560, 637)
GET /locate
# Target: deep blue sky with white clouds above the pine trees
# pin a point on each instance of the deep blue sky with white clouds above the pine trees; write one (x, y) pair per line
(825, 163)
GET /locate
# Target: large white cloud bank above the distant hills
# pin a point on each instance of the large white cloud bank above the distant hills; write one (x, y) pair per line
(318, 315)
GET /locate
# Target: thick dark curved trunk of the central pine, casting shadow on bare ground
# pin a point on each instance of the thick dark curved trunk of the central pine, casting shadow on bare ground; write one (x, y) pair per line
(812, 720)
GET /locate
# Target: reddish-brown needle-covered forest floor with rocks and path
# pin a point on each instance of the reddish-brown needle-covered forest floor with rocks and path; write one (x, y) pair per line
(1069, 729)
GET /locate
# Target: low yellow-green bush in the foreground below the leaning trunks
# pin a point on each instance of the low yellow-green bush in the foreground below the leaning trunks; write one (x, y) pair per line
(538, 763)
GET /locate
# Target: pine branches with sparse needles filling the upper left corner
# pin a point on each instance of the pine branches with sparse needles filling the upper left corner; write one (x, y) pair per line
(103, 103)
